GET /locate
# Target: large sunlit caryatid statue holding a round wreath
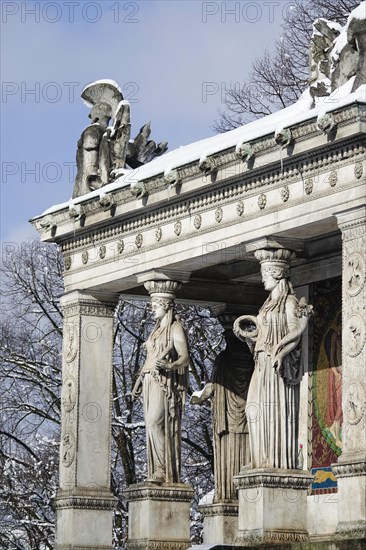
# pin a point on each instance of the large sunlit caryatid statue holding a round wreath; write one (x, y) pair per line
(273, 397)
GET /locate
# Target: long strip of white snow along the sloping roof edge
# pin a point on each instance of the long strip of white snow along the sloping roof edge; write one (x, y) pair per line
(294, 114)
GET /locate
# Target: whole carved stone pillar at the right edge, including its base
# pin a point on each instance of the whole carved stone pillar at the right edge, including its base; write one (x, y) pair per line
(351, 466)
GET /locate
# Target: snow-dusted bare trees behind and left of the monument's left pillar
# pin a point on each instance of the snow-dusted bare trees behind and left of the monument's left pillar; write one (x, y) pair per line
(30, 385)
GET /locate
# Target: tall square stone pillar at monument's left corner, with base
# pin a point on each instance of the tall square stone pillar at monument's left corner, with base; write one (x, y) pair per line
(84, 501)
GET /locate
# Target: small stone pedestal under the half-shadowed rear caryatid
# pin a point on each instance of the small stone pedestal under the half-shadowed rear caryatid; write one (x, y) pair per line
(220, 524)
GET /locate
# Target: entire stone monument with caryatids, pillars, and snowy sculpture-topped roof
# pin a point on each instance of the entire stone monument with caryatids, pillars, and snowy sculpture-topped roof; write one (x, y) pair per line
(169, 219)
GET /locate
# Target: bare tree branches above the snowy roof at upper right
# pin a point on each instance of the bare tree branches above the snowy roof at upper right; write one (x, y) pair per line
(278, 78)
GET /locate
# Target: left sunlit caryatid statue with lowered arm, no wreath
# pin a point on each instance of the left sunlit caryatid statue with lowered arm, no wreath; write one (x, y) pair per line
(163, 381)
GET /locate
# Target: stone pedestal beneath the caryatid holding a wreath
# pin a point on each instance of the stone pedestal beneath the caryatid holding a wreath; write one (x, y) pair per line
(272, 506)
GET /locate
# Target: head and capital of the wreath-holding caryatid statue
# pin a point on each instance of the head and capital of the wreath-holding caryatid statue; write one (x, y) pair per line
(275, 265)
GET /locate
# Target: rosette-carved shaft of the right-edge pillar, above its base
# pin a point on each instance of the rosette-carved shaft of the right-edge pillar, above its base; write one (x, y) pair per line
(353, 228)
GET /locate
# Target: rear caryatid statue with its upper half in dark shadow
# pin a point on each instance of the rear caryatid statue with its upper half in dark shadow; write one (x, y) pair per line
(228, 390)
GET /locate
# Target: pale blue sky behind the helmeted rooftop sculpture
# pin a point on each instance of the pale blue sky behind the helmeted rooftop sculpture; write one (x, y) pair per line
(173, 60)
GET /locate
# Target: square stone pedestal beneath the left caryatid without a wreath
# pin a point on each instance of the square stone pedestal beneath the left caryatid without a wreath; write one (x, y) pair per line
(159, 516)
